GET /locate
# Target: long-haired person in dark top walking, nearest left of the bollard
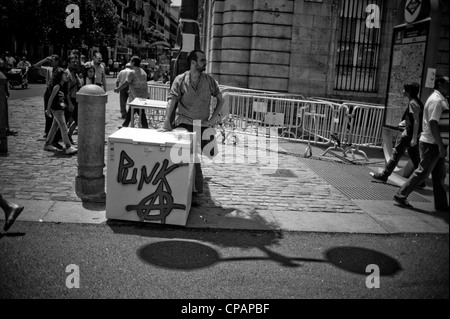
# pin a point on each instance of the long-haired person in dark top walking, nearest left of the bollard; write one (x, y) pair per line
(57, 103)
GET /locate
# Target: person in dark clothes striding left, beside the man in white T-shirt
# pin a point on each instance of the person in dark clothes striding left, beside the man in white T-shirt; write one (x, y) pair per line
(411, 121)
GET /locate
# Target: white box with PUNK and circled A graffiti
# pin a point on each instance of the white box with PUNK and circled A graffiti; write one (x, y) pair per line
(150, 176)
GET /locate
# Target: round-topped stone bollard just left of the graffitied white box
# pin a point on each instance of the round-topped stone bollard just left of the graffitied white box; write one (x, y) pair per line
(90, 181)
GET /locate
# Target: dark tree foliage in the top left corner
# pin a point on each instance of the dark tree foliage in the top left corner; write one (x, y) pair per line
(45, 20)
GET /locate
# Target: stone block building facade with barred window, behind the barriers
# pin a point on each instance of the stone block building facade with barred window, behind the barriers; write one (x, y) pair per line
(327, 48)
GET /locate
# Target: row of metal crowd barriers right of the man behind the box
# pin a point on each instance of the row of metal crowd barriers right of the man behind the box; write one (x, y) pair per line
(354, 124)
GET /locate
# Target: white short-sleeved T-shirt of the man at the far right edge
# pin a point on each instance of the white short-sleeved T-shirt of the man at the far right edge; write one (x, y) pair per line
(436, 109)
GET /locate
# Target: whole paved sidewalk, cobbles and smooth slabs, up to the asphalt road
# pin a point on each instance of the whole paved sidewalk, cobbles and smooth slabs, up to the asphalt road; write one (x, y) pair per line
(320, 194)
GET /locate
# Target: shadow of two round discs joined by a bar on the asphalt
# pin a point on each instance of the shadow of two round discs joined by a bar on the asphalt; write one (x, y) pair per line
(183, 254)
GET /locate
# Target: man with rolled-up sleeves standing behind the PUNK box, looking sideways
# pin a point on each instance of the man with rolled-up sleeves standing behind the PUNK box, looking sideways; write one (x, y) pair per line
(192, 91)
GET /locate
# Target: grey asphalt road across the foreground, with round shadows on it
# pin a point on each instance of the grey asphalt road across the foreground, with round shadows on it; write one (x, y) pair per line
(147, 261)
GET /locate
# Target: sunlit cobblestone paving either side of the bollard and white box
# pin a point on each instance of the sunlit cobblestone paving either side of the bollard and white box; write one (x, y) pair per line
(30, 173)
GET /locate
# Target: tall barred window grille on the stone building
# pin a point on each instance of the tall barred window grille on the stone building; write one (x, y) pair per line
(358, 47)
